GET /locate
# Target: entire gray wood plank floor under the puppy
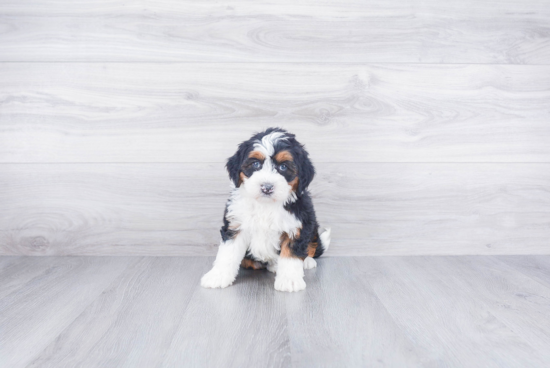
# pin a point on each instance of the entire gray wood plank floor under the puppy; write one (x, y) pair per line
(459, 311)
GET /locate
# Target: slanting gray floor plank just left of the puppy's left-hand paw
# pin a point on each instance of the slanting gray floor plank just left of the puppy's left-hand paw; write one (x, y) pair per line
(132, 322)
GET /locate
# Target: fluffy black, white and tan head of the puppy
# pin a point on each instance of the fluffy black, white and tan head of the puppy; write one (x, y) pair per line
(271, 166)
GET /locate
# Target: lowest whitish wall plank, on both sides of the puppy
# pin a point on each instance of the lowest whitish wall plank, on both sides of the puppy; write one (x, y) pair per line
(373, 209)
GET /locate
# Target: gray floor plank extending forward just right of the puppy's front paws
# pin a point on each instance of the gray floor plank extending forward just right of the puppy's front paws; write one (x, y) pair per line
(339, 321)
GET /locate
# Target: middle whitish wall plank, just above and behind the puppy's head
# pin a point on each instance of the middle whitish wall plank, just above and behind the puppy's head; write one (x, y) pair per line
(55, 112)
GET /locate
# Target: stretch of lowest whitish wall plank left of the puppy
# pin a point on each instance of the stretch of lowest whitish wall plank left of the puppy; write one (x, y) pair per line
(100, 209)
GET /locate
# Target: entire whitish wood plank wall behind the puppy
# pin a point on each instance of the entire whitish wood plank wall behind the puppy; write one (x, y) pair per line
(428, 121)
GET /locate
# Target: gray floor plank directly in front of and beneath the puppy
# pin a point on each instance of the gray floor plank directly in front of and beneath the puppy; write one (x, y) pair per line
(242, 325)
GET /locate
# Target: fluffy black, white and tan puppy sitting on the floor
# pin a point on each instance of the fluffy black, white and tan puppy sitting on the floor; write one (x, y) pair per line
(269, 220)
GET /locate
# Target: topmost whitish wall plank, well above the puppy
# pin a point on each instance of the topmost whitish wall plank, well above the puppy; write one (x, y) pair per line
(308, 31)
